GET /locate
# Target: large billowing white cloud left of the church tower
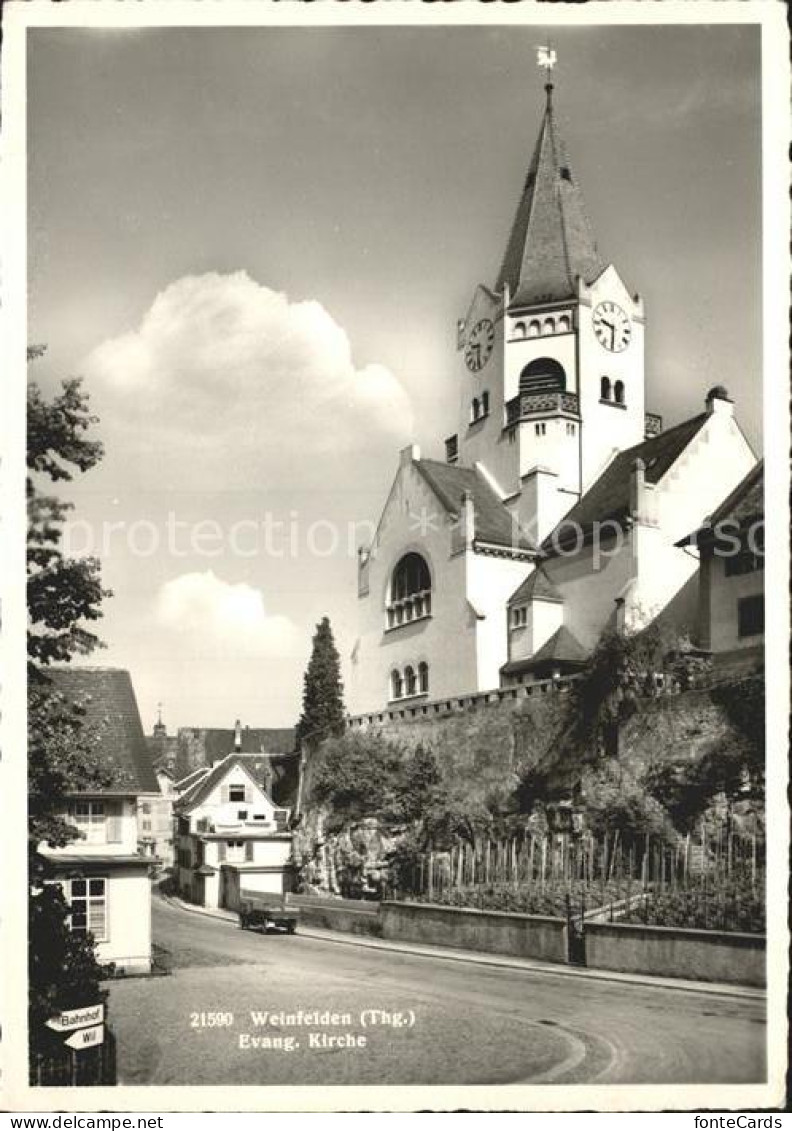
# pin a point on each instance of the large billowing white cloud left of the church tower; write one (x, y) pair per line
(234, 372)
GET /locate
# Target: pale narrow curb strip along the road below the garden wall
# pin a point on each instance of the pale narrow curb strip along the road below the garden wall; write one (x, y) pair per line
(648, 981)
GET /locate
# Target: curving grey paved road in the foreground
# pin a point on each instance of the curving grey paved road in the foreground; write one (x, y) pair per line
(445, 1022)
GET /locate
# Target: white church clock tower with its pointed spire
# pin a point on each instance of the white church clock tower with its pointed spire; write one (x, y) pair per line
(552, 358)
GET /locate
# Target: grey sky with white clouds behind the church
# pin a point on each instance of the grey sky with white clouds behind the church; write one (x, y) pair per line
(255, 244)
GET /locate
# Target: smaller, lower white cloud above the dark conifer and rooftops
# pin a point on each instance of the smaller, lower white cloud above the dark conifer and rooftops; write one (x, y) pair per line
(225, 618)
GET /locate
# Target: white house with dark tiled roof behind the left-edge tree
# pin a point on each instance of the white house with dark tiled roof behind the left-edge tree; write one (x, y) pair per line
(105, 876)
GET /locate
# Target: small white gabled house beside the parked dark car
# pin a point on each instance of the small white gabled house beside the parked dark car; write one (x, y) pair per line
(230, 834)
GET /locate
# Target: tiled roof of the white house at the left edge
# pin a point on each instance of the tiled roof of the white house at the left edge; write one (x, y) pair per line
(113, 719)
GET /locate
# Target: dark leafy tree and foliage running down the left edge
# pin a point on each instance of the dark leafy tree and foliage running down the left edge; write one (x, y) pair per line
(64, 597)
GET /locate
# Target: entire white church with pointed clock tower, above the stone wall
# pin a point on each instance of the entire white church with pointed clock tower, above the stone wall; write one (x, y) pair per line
(559, 502)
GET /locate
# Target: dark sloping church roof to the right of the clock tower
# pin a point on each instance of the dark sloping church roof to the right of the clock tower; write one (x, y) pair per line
(609, 497)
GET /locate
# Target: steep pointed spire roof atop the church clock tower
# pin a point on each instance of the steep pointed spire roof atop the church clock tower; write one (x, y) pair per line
(552, 241)
